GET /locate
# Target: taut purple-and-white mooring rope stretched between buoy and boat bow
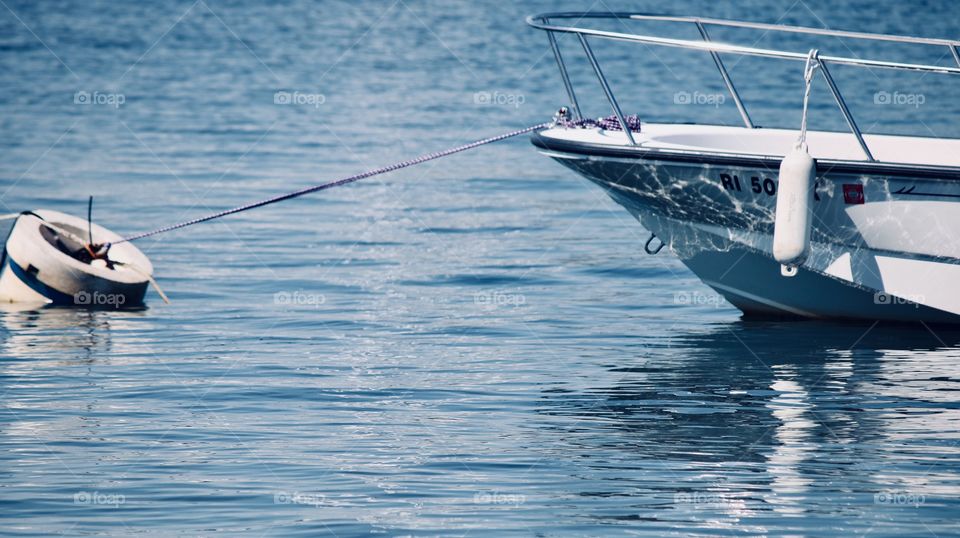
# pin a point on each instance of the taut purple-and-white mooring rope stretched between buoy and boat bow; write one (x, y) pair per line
(337, 183)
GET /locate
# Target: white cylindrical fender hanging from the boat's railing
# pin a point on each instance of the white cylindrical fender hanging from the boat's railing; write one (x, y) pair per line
(794, 216)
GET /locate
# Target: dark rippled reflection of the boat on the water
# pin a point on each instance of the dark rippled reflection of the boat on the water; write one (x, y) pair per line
(731, 426)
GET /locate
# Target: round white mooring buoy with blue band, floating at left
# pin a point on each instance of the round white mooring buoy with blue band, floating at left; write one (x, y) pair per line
(58, 259)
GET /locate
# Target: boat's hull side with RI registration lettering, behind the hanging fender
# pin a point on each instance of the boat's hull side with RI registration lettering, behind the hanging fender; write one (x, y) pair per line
(884, 245)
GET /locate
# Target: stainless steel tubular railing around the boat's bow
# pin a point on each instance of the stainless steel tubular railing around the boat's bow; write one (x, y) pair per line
(545, 22)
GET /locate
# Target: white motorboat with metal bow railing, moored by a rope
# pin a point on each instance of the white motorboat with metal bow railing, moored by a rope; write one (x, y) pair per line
(884, 226)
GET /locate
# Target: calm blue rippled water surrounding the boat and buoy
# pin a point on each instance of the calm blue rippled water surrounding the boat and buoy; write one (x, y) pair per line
(476, 346)
